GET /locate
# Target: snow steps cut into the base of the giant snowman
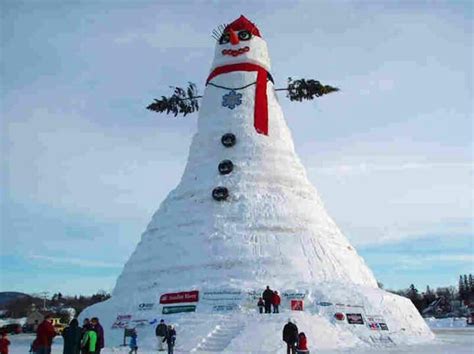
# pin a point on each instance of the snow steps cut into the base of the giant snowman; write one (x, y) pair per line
(220, 337)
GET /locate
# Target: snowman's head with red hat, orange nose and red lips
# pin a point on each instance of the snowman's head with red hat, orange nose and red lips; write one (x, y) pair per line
(241, 43)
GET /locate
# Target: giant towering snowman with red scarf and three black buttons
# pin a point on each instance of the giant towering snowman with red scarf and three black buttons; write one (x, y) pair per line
(244, 216)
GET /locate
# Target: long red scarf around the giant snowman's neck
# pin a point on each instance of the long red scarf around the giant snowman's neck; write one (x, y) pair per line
(261, 105)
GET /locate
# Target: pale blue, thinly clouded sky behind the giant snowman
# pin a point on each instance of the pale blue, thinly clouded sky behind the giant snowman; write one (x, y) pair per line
(84, 165)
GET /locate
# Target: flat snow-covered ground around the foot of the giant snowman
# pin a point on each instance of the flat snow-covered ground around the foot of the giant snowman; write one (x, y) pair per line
(448, 340)
